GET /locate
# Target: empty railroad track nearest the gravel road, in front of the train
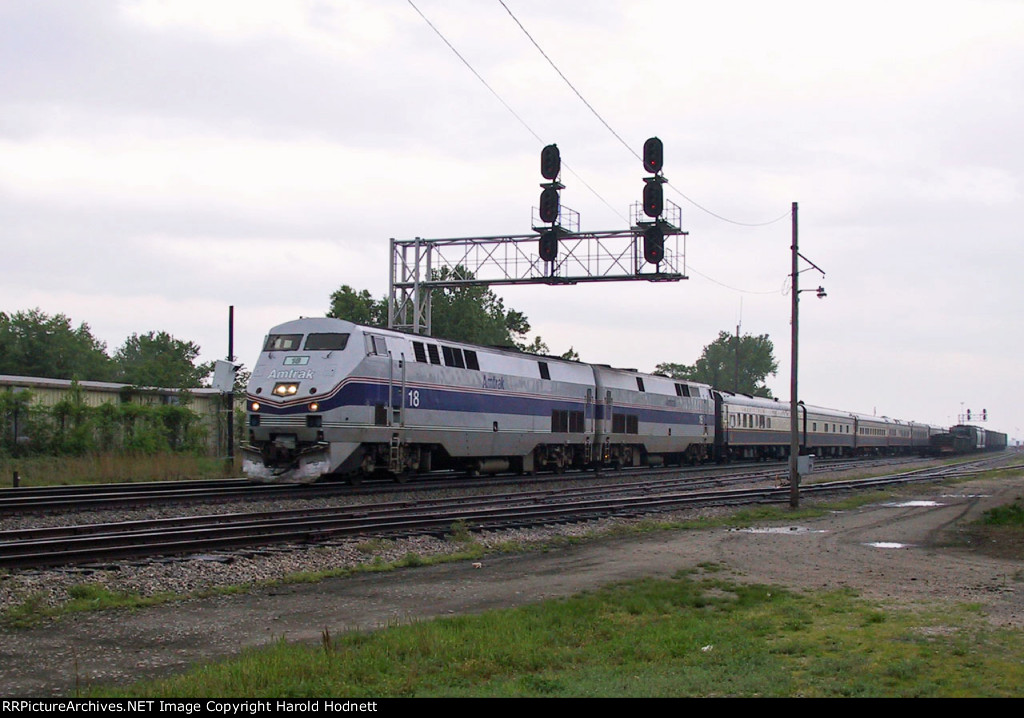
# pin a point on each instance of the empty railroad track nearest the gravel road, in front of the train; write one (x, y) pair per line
(183, 536)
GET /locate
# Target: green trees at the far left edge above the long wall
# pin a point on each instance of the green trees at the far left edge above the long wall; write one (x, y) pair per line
(32, 344)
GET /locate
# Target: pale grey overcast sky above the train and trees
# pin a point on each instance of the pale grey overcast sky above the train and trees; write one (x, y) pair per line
(163, 160)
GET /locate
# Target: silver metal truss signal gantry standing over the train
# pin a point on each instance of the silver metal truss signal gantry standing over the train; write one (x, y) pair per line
(420, 266)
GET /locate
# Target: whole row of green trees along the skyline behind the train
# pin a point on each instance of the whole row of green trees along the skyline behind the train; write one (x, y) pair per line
(33, 344)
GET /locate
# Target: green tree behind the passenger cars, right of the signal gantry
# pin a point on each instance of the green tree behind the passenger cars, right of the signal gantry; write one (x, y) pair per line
(732, 364)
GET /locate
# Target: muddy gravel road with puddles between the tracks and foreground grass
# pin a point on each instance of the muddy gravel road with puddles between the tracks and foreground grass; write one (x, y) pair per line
(907, 554)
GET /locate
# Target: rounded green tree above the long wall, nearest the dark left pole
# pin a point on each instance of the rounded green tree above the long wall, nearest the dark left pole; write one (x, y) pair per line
(157, 359)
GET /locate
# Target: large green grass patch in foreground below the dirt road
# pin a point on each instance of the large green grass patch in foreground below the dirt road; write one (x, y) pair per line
(695, 636)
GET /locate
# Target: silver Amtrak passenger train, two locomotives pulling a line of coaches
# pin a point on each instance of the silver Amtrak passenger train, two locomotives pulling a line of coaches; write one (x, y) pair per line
(332, 398)
